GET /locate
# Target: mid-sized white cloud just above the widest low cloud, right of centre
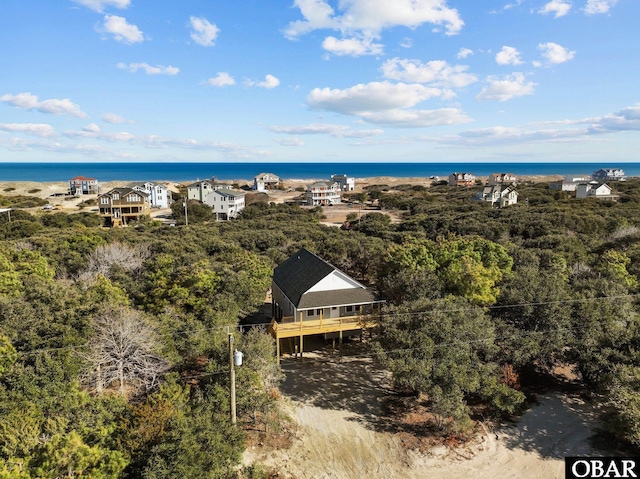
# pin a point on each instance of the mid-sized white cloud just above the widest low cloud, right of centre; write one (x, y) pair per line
(436, 72)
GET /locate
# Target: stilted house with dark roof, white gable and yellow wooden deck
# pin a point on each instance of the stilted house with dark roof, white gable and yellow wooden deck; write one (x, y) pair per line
(310, 296)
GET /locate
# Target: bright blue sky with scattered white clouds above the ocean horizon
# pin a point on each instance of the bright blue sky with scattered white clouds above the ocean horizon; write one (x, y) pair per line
(320, 80)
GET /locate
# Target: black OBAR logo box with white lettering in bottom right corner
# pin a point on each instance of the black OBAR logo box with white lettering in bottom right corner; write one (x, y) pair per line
(601, 467)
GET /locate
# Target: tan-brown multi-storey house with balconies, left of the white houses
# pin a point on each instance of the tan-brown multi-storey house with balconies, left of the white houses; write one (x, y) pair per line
(120, 206)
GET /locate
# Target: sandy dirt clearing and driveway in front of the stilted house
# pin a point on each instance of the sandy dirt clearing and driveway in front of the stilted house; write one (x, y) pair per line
(336, 403)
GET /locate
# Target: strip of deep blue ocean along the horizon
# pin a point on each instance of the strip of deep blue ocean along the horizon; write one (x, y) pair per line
(182, 172)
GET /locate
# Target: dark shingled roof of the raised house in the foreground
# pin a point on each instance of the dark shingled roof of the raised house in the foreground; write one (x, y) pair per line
(302, 271)
